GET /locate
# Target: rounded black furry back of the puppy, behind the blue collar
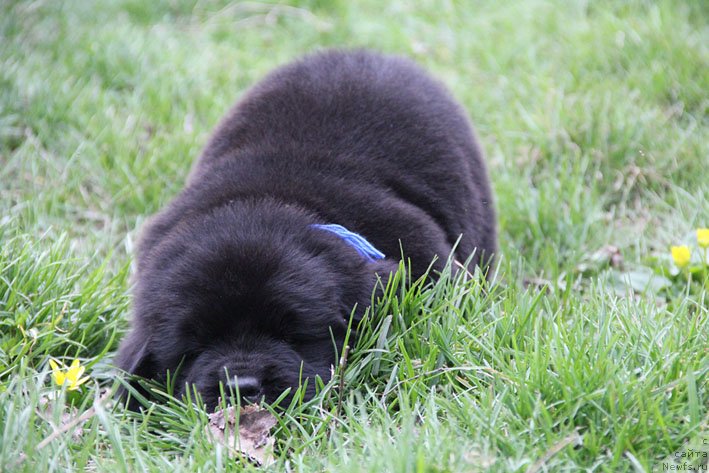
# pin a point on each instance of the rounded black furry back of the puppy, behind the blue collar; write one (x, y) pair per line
(365, 140)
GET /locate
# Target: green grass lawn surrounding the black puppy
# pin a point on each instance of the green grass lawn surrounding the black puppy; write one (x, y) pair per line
(594, 120)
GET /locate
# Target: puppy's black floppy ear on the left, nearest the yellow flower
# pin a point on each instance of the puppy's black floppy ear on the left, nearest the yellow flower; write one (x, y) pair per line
(135, 358)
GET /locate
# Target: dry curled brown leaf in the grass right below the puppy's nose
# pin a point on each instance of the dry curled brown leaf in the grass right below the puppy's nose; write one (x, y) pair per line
(253, 441)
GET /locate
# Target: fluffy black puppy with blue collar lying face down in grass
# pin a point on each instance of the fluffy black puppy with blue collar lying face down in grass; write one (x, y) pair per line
(322, 169)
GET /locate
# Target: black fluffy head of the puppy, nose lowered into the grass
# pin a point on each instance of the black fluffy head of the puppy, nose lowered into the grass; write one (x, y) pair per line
(249, 297)
